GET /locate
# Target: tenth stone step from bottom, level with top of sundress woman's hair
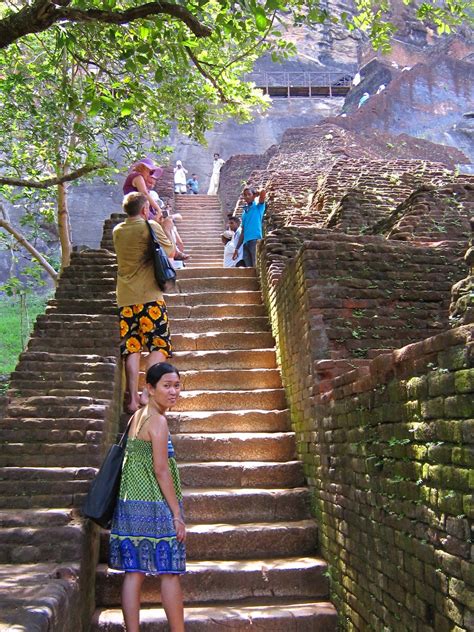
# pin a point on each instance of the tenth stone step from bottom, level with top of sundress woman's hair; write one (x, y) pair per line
(222, 359)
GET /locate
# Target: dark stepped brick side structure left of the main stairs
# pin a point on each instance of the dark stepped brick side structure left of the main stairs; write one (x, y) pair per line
(62, 403)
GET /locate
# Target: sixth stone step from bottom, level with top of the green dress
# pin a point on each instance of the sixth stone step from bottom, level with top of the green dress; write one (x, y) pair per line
(256, 446)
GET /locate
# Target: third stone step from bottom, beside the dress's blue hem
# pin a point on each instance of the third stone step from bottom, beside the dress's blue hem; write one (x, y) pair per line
(250, 540)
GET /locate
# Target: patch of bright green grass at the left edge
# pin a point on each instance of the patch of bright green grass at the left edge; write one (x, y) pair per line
(16, 323)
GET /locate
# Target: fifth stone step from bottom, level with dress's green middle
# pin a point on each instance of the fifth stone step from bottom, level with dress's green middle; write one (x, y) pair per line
(263, 474)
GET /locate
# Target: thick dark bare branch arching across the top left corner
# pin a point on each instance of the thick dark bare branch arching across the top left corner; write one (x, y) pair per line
(44, 13)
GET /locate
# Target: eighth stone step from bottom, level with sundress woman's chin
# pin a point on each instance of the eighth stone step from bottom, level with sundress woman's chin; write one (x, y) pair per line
(270, 399)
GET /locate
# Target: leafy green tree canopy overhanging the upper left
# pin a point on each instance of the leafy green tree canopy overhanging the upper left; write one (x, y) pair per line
(80, 77)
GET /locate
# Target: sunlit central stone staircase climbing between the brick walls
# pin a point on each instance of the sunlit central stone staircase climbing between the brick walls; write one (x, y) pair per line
(251, 540)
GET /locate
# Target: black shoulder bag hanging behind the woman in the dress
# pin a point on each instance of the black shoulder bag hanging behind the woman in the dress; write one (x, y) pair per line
(100, 502)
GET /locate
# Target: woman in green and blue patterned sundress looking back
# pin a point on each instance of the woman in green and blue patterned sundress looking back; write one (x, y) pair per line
(148, 531)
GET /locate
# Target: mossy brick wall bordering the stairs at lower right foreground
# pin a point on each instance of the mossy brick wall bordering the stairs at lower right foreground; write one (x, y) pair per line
(387, 450)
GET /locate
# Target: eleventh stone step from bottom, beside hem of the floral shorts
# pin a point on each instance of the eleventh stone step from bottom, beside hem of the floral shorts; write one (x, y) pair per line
(222, 340)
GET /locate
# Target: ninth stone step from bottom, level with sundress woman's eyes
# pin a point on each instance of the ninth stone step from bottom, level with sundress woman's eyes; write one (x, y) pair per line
(232, 379)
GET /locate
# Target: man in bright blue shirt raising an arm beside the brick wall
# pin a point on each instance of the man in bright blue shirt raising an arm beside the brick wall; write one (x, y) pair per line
(252, 225)
